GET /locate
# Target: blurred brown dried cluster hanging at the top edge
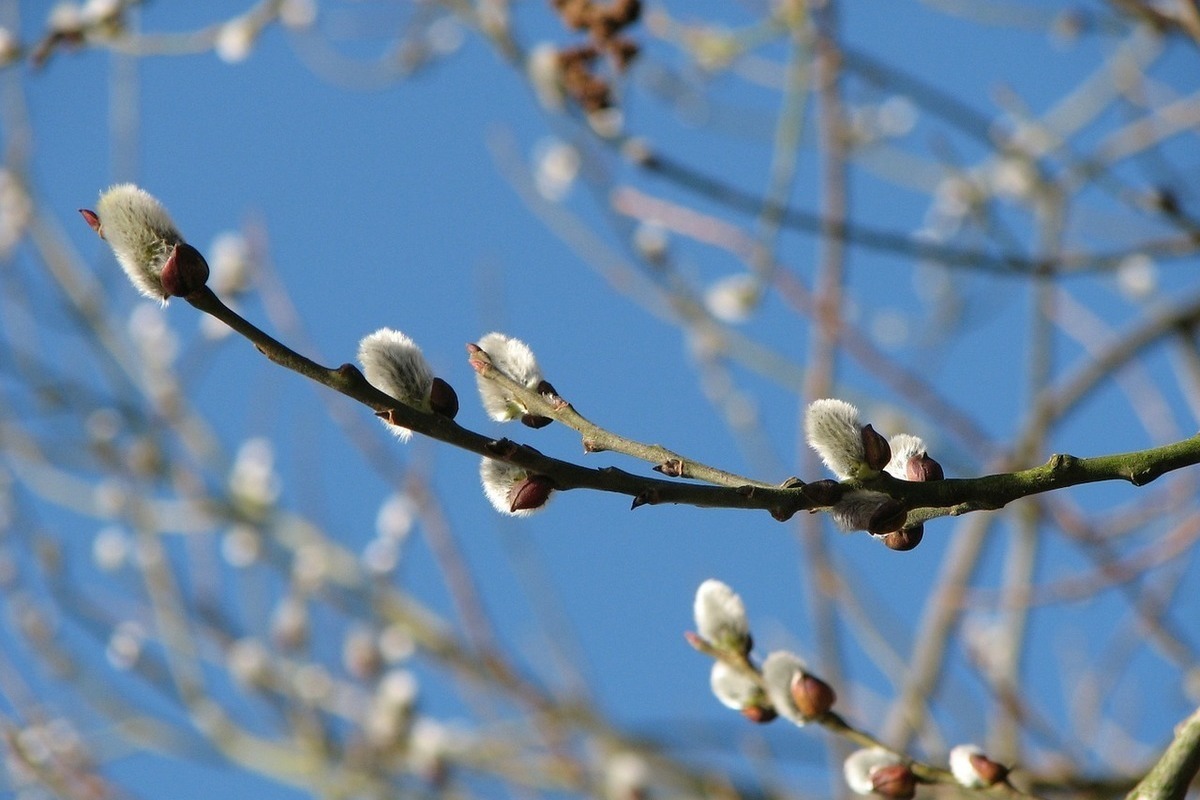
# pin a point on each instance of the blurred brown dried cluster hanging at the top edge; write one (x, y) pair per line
(580, 67)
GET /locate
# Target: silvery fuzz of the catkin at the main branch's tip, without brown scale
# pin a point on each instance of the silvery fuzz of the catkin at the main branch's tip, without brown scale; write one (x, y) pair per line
(141, 233)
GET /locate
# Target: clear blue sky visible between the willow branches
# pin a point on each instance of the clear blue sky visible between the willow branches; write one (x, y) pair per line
(391, 208)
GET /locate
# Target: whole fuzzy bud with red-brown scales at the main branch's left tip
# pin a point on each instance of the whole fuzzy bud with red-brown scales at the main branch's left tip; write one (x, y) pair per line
(147, 244)
